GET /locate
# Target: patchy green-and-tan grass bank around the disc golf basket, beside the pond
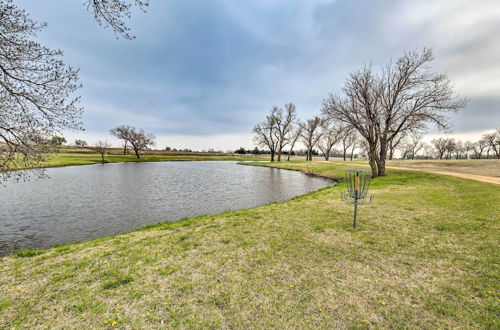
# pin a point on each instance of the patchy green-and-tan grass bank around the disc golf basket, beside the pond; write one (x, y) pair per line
(426, 256)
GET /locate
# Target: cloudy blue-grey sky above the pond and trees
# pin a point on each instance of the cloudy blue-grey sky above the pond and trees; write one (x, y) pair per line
(201, 73)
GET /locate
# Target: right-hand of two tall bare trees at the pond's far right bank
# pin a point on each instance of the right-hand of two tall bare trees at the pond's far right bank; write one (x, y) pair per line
(284, 121)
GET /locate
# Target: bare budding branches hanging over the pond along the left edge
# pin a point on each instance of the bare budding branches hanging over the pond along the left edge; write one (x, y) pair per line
(36, 93)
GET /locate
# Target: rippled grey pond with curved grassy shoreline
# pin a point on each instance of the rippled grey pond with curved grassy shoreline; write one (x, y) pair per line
(83, 202)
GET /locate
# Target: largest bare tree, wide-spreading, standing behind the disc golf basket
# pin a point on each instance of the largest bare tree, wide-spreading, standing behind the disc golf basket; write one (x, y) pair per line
(406, 95)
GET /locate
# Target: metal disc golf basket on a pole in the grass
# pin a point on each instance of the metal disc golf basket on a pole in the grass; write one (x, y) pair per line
(358, 182)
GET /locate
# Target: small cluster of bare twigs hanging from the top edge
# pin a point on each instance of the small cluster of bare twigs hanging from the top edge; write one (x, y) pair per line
(112, 13)
